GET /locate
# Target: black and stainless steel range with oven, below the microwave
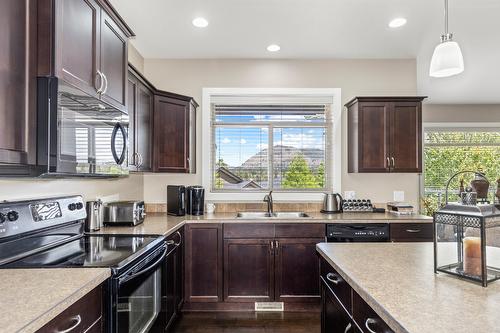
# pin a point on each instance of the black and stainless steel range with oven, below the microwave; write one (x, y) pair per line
(48, 233)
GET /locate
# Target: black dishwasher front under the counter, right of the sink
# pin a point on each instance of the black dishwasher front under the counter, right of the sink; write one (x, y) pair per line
(357, 232)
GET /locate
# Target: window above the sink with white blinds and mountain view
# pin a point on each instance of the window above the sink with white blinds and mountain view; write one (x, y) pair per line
(262, 143)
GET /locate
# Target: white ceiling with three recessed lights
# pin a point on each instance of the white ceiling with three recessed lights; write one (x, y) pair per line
(328, 29)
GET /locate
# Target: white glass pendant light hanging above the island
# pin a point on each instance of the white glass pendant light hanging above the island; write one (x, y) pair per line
(447, 59)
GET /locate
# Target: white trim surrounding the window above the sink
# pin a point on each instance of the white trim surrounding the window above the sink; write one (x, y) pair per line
(334, 94)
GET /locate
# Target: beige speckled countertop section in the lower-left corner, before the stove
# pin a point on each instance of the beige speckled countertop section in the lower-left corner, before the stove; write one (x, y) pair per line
(30, 298)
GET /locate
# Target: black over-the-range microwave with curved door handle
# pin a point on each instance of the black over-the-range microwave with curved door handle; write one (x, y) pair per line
(78, 135)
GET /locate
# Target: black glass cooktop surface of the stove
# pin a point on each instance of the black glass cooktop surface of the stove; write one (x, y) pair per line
(91, 251)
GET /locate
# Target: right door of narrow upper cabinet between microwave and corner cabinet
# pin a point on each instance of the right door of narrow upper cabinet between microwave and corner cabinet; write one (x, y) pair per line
(143, 135)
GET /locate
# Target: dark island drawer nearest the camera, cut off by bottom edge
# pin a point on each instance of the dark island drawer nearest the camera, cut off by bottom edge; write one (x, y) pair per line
(366, 318)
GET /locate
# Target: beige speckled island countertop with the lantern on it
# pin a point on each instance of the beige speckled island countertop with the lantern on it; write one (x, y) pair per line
(397, 280)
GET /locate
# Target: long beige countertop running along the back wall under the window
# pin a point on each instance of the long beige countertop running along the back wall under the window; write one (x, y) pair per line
(163, 224)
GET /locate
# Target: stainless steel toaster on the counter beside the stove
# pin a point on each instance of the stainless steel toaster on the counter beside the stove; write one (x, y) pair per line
(124, 213)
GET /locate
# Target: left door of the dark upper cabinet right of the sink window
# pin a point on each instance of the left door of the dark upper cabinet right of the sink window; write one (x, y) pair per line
(374, 121)
